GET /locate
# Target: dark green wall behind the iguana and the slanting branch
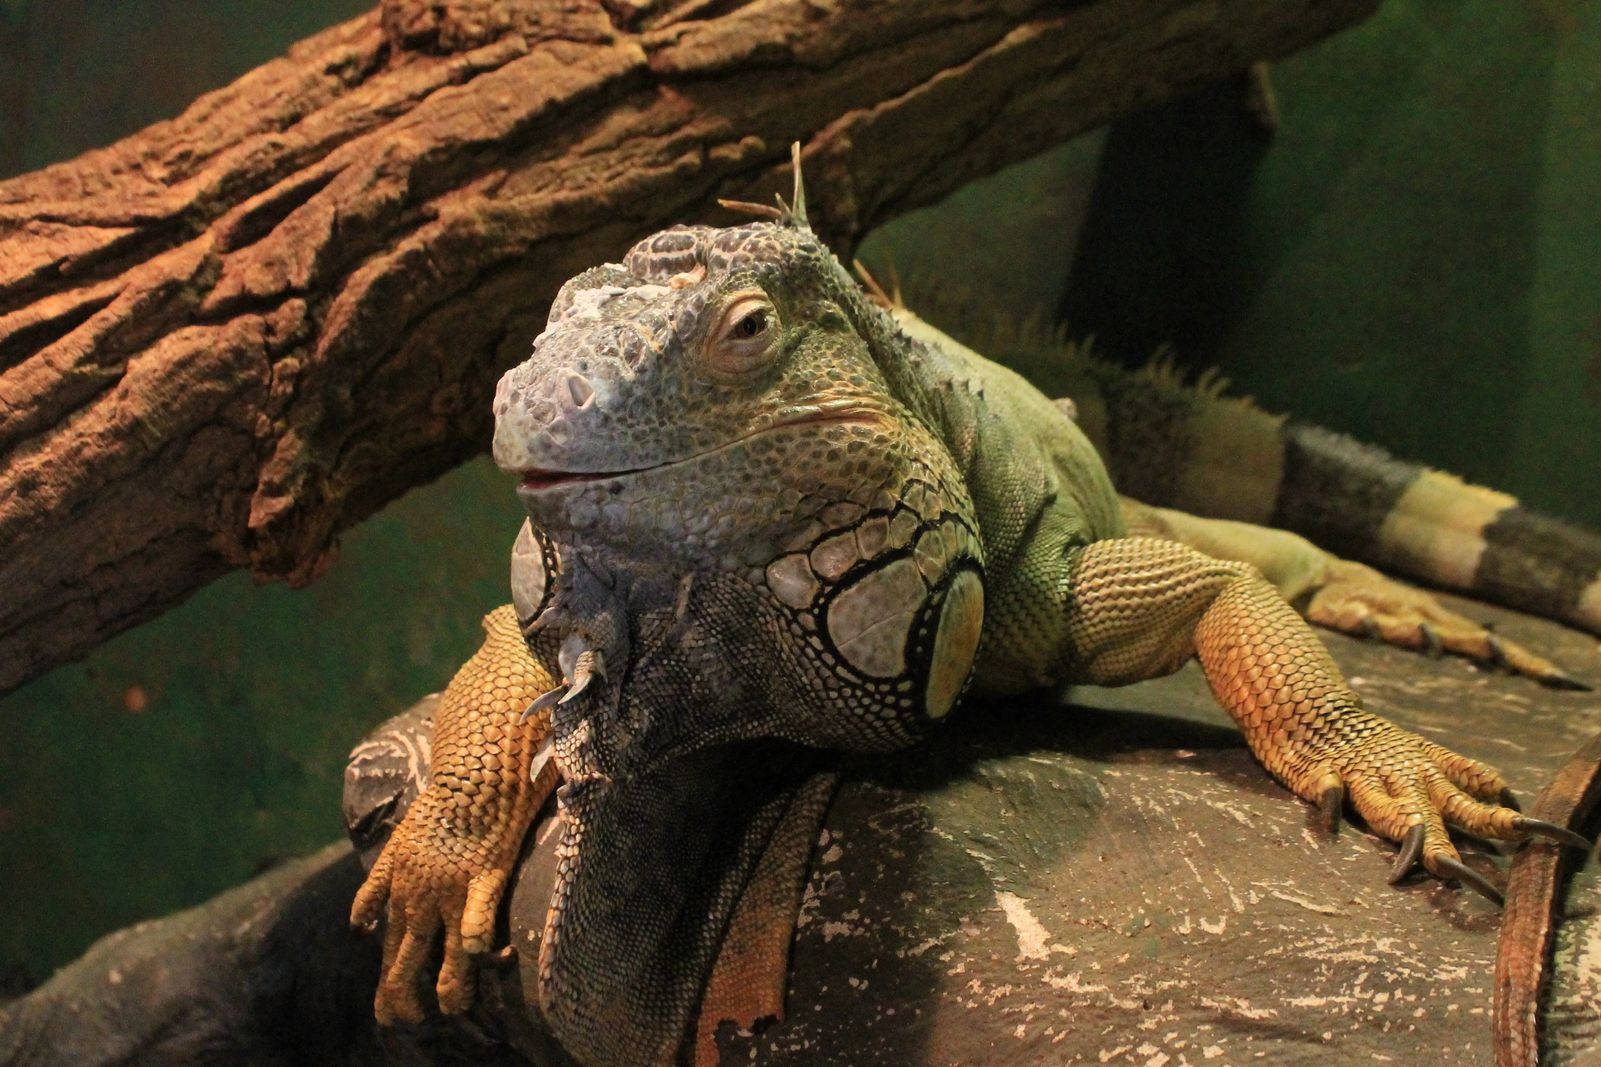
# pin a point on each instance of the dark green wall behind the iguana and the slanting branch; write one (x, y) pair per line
(1416, 259)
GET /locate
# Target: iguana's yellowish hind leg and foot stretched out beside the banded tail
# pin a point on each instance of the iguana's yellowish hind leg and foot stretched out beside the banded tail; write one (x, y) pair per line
(1344, 595)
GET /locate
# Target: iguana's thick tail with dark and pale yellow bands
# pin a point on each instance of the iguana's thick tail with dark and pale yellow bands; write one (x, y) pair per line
(1194, 449)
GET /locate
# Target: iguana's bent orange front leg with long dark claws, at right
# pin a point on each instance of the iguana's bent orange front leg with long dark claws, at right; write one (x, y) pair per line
(1141, 608)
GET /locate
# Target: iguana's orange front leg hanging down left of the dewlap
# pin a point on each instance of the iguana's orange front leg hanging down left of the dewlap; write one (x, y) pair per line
(447, 864)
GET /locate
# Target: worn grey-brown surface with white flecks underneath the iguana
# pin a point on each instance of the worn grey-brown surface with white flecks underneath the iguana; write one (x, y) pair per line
(1112, 880)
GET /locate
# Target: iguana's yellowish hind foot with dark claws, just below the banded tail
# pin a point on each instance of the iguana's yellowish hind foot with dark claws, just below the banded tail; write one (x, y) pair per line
(1358, 600)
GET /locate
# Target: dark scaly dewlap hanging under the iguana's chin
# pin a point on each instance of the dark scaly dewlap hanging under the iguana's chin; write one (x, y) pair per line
(665, 815)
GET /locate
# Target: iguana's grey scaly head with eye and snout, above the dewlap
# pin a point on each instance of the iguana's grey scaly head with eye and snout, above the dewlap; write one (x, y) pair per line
(692, 397)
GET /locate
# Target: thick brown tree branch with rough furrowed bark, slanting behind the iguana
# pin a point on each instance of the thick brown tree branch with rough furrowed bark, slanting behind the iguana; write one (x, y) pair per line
(231, 336)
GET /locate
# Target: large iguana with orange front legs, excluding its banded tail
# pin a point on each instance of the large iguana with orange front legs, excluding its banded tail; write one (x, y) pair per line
(764, 507)
